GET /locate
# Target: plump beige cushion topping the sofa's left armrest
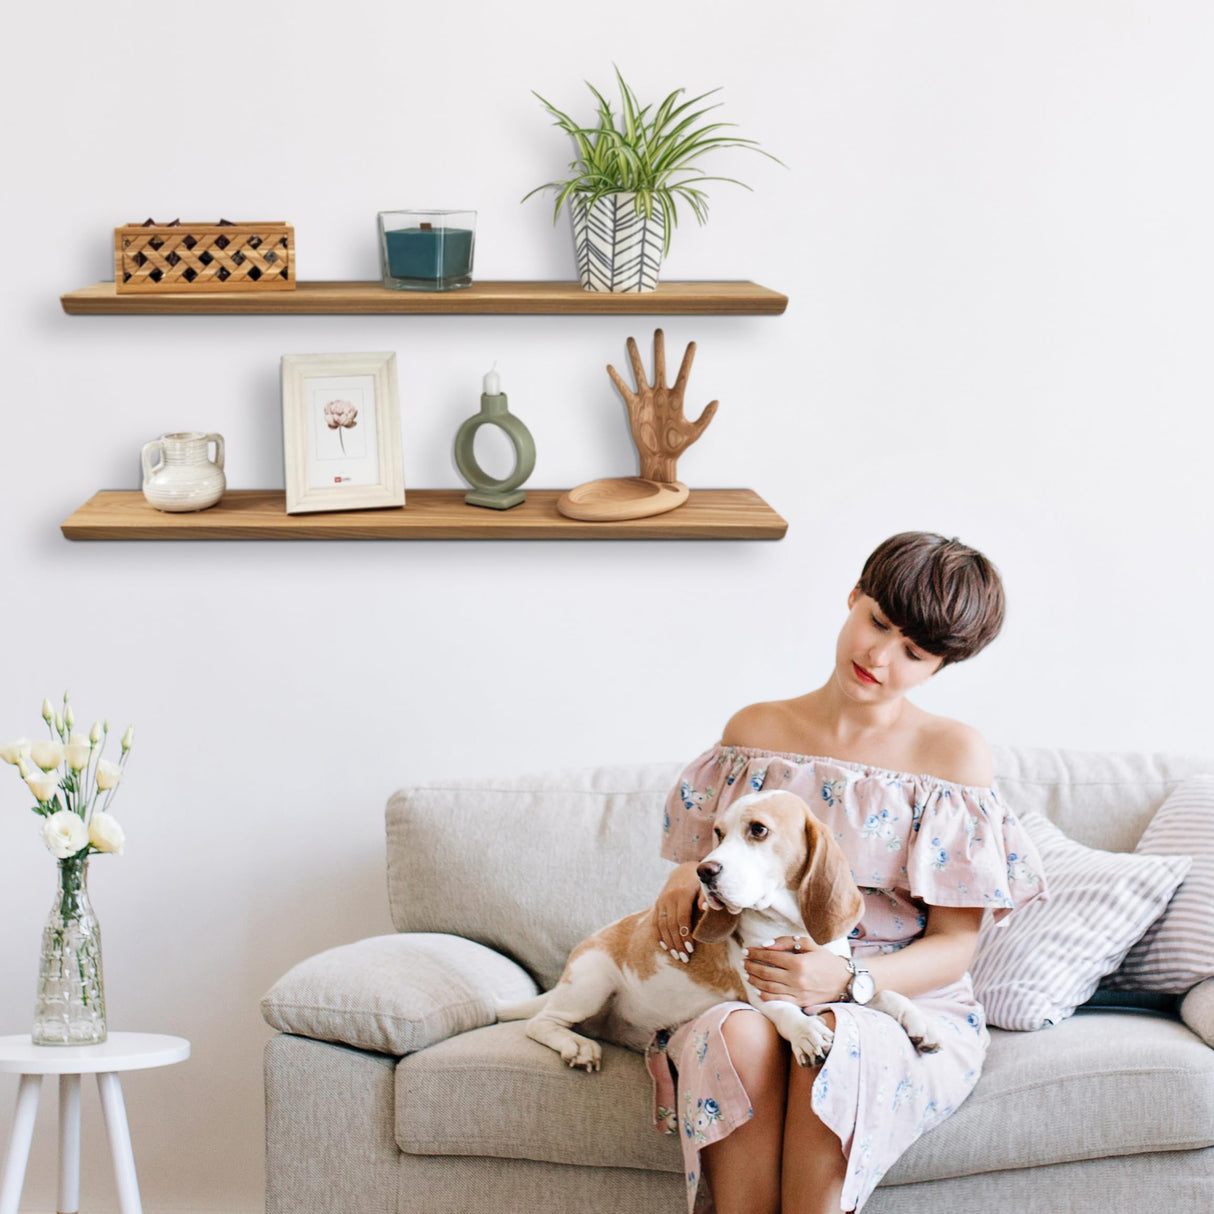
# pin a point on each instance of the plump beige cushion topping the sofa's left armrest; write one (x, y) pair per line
(395, 995)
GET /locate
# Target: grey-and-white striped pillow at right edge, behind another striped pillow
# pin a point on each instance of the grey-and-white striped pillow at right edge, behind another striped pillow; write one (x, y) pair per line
(1178, 949)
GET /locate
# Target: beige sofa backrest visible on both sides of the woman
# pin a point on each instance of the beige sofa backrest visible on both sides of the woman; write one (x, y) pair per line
(532, 865)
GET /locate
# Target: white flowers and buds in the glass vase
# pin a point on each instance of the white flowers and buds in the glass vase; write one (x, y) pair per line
(72, 784)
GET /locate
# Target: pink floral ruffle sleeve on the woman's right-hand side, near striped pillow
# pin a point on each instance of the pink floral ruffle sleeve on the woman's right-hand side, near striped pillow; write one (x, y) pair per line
(967, 849)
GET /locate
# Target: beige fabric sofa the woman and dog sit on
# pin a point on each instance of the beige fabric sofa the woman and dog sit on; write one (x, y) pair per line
(390, 1090)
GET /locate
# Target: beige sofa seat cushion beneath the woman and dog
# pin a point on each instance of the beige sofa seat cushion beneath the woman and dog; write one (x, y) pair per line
(1100, 1085)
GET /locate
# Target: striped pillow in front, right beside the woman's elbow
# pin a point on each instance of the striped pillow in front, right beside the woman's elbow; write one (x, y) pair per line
(1047, 958)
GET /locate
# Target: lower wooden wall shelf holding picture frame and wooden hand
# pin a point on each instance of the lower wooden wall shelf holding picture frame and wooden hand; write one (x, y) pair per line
(428, 514)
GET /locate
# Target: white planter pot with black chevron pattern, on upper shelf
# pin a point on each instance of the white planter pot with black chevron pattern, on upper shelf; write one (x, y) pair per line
(617, 248)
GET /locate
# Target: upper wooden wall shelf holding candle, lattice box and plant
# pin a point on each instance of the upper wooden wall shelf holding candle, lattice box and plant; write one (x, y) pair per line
(484, 299)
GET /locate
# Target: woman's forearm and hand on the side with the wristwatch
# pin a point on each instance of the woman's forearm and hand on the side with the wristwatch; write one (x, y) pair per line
(939, 957)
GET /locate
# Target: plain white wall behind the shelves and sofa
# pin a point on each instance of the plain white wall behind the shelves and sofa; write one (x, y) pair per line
(995, 234)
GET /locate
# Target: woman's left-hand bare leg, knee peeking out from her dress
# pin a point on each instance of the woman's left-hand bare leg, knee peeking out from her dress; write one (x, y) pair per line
(744, 1168)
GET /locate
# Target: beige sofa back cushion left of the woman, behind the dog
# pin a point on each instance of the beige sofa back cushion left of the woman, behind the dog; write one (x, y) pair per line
(529, 866)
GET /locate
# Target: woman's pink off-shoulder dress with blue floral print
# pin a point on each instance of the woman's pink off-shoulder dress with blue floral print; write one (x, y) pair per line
(912, 842)
